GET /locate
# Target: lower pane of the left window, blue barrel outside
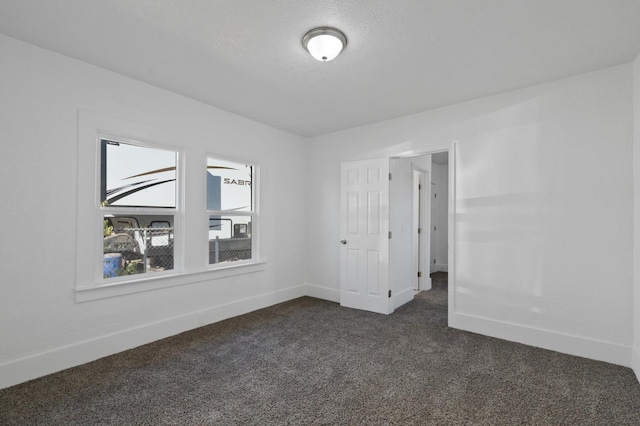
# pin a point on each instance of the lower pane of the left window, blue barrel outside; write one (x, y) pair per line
(137, 244)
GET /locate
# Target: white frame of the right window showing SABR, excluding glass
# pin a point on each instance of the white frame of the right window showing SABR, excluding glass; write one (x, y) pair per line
(254, 214)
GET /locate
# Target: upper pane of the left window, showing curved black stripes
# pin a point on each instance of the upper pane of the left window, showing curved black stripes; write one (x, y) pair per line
(137, 176)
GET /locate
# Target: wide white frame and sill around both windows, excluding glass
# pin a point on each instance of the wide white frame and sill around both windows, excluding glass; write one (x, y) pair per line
(189, 219)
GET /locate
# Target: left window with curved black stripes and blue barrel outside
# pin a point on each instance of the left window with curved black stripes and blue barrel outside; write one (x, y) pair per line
(138, 199)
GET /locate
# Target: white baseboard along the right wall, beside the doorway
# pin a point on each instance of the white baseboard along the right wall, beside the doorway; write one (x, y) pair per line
(565, 343)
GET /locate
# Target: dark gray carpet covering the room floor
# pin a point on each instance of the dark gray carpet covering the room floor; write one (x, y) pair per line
(312, 362)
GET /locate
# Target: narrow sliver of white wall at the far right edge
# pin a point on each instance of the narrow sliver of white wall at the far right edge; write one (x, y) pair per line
(636, 192)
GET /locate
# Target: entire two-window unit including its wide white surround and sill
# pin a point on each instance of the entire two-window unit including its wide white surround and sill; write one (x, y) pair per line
(140, 217)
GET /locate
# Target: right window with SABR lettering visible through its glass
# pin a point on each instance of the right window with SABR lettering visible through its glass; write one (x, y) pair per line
(231, 212)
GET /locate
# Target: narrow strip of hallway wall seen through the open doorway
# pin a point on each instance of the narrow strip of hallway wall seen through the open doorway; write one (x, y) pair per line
(439, 216)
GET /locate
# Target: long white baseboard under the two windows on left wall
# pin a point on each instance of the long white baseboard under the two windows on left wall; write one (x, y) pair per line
(38, 365)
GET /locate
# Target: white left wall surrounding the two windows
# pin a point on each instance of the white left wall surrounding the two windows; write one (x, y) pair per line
(42, 328)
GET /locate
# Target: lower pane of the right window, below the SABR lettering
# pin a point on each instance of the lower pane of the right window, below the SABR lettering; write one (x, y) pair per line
(229, 238)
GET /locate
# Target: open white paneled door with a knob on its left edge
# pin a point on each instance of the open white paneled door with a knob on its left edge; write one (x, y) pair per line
(364, 229)
